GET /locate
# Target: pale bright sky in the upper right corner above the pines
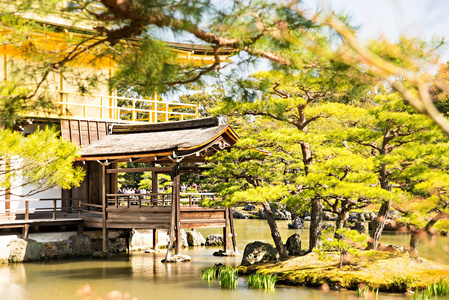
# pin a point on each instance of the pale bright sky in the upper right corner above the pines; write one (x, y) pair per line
(418, 18)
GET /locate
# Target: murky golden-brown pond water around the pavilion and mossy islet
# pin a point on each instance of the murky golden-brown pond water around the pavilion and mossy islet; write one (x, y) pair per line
(143, 276)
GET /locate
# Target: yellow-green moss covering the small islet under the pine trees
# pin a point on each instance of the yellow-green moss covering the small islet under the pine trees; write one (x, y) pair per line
(389, 272)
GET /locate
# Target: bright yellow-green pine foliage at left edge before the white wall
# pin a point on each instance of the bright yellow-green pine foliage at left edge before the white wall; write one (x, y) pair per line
(37, 162)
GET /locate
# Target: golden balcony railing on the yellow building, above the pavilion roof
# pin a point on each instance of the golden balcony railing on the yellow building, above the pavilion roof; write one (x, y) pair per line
(113, 108)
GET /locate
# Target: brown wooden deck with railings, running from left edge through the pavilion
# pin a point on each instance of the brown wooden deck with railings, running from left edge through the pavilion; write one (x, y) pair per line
(123, 211)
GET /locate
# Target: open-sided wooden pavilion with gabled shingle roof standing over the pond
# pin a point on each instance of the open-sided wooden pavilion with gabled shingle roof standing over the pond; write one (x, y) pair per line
(173, 148)
